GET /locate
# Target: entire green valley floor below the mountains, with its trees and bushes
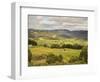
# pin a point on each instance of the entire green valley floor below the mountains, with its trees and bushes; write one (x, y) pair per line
(52, 52)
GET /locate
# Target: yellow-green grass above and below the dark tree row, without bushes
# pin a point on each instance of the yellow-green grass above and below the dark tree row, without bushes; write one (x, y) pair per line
(67, 53)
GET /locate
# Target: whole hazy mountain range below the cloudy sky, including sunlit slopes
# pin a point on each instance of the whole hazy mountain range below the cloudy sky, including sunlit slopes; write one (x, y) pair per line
(82, 34)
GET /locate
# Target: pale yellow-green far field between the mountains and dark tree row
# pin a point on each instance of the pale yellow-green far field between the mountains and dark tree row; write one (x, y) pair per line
(42, 41)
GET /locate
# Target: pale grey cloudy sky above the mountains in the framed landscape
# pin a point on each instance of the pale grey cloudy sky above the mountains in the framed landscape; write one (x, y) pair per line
(57, 22)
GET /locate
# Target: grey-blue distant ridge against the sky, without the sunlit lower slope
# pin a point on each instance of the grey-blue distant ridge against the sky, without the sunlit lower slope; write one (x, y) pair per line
(83, 34)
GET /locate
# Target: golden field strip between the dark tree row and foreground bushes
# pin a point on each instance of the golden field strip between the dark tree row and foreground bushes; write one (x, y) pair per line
(44, 50)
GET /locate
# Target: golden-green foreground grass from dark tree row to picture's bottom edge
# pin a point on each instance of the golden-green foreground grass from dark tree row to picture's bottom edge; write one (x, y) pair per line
(44, 51)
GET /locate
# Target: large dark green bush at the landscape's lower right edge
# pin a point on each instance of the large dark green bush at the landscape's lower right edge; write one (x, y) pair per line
(84, 54)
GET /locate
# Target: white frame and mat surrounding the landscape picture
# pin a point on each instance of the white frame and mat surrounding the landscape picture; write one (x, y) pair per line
(19, 68)
